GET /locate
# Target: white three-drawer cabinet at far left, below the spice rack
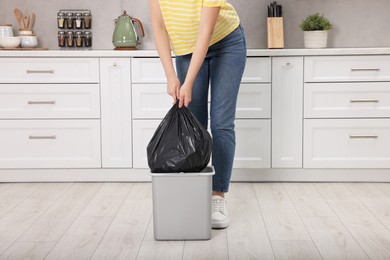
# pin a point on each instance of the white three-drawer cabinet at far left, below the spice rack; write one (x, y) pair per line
(49, 113)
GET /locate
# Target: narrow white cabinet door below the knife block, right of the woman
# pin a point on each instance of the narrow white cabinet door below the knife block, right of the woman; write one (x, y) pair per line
(287, 107)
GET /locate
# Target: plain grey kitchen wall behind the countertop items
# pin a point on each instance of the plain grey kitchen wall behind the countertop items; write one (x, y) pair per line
(357, 23)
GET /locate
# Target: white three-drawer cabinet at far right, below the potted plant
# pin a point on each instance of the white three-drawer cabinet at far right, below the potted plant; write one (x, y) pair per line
(347, 115)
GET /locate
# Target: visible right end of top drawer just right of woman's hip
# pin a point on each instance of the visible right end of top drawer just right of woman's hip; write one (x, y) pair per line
(257, 70)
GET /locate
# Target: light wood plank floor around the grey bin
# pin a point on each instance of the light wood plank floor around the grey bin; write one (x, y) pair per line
(268, 221)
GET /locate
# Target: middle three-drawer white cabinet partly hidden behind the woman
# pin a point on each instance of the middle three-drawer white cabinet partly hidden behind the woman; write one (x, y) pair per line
(254, 103)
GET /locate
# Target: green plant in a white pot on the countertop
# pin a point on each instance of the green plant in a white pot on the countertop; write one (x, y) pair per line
(315, 28)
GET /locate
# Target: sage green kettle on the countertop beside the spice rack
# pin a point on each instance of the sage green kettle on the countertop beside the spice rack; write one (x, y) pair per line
(128, 32)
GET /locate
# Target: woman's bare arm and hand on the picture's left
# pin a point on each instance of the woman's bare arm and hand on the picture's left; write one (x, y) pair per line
(164, 49)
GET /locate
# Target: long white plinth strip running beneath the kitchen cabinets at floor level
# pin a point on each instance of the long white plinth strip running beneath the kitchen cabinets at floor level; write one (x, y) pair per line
(239, 175)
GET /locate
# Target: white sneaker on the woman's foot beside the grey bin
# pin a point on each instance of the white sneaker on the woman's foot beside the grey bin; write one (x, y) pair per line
(219, 214)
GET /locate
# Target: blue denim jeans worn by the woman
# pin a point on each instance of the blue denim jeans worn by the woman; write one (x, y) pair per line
(222, 70)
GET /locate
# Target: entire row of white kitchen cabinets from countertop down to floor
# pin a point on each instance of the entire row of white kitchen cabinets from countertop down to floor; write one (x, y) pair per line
(309, 115)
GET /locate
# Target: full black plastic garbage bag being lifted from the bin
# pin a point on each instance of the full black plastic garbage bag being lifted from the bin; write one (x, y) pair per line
(180, 143)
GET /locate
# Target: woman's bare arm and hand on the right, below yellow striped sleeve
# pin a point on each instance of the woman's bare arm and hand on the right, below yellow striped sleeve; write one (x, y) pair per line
(208, 20)
